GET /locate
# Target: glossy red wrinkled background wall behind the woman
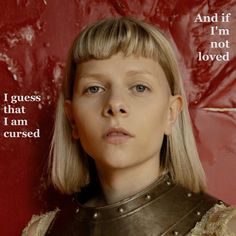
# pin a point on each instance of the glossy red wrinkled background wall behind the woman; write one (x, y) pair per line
(34, 38)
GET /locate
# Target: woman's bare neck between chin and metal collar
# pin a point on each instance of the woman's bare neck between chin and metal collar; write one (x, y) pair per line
(118, 184)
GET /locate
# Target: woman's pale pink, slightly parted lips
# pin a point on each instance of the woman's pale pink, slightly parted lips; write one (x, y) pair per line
(117, 135)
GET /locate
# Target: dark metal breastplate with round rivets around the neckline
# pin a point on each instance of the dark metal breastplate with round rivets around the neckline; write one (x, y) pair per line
(163, 208)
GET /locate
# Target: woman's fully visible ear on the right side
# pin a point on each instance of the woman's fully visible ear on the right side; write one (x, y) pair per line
(175, 107)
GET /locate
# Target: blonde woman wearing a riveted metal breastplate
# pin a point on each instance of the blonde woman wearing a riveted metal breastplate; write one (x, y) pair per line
(123, 142)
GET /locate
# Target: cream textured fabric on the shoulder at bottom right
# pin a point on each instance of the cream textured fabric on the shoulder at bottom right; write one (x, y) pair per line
(219, 220)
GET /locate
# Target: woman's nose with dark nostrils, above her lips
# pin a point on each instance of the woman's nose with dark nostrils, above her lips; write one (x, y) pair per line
(115, 105)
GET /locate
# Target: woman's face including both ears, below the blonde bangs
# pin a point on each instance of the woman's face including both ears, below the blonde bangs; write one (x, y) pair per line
(120, 110)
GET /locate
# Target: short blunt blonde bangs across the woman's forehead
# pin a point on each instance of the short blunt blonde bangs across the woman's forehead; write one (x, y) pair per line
(101, 41)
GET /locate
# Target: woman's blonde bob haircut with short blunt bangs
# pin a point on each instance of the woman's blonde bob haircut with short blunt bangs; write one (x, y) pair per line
(69, 164)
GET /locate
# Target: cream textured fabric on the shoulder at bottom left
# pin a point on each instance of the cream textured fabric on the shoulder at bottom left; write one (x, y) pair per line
(39, 224)
